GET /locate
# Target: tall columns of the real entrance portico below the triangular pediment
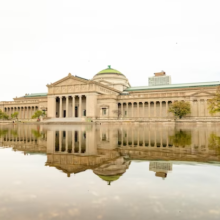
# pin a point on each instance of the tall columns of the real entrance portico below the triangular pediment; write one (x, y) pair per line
(71, 106)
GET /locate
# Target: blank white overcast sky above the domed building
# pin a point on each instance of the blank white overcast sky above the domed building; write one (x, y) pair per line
(42, 41)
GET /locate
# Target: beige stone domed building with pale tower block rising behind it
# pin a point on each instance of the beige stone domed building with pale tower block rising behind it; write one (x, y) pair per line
(109, 96)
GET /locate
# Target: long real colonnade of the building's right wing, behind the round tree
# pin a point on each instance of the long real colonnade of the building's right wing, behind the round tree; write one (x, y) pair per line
(199, 108)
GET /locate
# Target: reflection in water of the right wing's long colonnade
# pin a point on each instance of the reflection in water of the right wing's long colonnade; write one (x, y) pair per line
(159, 138)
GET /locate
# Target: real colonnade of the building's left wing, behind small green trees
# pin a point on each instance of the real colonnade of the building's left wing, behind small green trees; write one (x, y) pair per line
(24, 112)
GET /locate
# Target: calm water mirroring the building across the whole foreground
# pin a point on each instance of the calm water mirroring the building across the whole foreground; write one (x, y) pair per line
(109, 172)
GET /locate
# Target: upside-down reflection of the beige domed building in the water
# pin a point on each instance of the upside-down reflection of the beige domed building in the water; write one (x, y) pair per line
(109, 150)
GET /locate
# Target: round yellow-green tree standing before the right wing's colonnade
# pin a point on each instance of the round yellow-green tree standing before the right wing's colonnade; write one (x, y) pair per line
(179, 108)
